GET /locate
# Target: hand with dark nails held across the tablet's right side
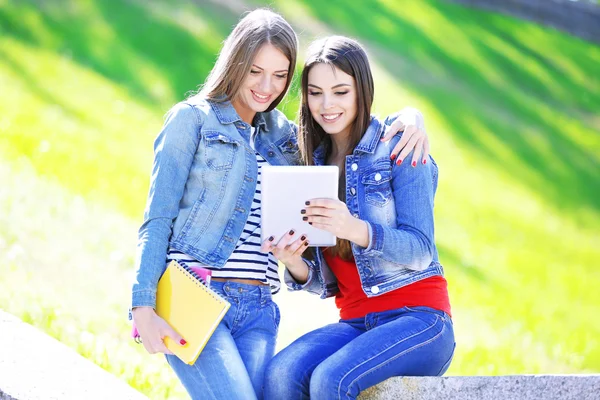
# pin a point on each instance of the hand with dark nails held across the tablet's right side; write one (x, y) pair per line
(333, 216)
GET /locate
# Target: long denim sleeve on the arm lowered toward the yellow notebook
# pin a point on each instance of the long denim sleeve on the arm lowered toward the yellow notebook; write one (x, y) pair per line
(174, 151)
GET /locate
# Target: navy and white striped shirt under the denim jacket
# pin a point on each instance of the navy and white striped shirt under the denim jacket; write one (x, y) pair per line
(246, 261)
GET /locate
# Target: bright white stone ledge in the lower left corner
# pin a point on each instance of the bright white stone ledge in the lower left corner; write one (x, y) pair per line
(34, 366)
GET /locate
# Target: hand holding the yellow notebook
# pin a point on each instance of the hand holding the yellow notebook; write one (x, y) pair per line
(153, 329)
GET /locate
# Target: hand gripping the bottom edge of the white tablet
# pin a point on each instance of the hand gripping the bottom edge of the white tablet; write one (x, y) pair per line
(290, 254)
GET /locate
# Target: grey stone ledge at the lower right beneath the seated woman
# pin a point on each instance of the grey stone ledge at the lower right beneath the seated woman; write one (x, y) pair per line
(517, 387)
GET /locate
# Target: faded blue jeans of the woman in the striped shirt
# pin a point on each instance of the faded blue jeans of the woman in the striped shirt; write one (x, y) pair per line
(232, 364)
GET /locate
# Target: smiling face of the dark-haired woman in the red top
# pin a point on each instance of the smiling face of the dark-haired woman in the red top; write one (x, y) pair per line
(332, 99)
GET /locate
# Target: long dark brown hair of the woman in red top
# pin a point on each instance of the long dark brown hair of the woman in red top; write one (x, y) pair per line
(348, 56)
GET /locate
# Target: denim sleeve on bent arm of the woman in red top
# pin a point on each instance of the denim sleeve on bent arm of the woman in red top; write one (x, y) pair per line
(411, 243)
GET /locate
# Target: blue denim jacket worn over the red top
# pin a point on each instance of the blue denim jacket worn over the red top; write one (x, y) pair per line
(397, 204)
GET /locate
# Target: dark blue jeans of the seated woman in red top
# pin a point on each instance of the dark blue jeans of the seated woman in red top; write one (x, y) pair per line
(340, 360)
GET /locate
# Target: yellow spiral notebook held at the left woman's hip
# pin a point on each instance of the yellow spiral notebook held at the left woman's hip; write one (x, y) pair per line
(190, 307)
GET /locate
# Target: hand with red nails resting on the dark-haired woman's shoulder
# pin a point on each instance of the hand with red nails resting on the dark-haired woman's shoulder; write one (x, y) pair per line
(415, 137)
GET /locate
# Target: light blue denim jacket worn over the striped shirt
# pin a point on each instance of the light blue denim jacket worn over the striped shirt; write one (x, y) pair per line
(202, 185)
